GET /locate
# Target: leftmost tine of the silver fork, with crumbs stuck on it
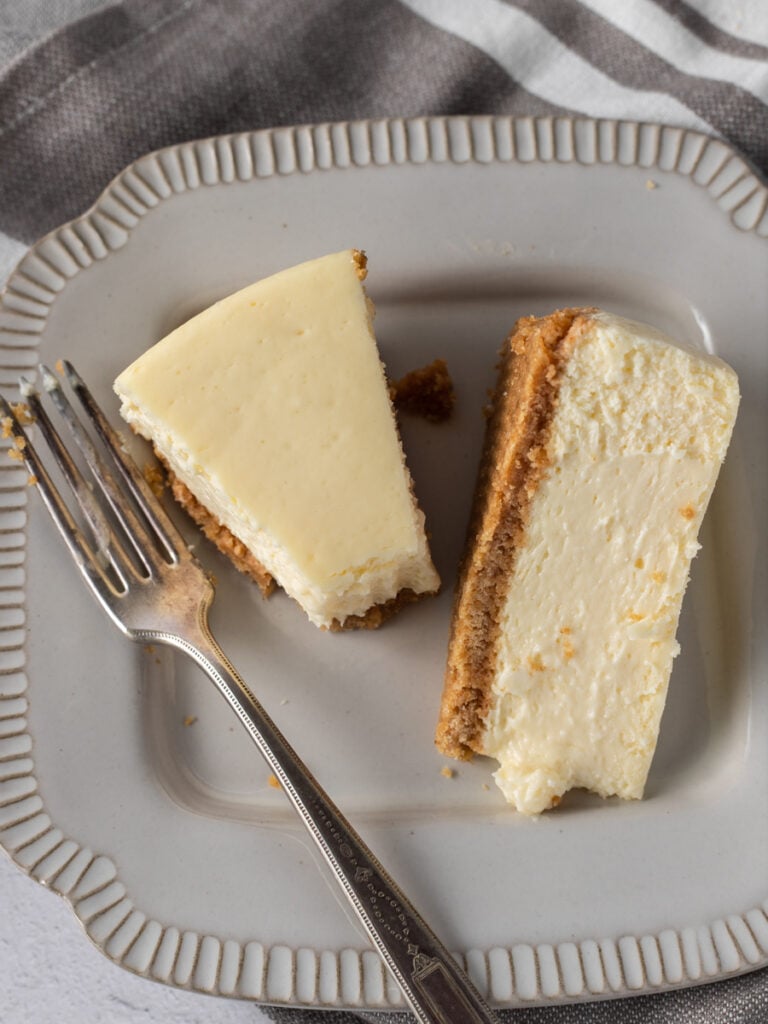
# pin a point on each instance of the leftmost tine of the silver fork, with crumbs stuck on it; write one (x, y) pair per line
(87, 561)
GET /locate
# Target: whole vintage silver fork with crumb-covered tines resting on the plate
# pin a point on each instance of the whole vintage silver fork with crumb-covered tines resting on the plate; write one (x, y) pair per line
(142, 573)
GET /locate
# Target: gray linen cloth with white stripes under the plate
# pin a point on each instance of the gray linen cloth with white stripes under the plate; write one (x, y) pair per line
(89, 87)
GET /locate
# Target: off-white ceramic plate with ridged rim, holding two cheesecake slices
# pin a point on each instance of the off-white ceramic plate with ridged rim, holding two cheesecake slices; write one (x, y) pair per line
(126, 786)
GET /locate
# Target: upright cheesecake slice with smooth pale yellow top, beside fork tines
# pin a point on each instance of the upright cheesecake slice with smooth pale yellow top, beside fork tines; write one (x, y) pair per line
(272, 413)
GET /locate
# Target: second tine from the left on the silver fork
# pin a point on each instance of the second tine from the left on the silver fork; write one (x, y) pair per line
(108, 544)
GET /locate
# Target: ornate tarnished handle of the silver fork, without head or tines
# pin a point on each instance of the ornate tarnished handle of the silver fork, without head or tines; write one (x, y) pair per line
(437, 989)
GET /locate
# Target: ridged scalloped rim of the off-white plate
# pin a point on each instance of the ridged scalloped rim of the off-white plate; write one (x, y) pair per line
(525, 974)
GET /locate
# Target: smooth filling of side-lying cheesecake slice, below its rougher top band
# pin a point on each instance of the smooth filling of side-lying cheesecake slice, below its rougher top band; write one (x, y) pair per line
(579, 692)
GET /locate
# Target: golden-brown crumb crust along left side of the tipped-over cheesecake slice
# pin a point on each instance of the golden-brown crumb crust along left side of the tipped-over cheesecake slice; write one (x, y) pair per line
(513, 465)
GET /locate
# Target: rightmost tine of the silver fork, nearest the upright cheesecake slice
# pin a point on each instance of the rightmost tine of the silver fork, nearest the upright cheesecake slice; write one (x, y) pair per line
(156, 516)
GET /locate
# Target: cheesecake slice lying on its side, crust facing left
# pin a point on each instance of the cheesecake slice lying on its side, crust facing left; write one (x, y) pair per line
(602, 453)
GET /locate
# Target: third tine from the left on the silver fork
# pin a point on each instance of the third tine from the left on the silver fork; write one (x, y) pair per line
(143, 542)
